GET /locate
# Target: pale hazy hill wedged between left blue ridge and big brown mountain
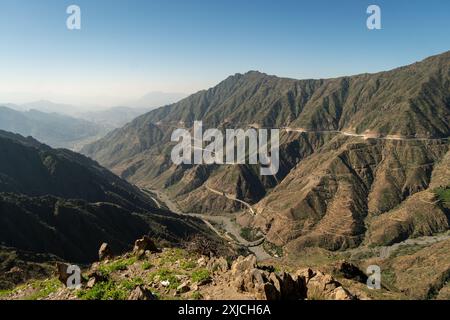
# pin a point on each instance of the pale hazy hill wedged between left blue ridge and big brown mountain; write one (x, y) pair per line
(113, 117)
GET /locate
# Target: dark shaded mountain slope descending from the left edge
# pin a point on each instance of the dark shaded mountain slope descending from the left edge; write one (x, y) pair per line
(60, 202)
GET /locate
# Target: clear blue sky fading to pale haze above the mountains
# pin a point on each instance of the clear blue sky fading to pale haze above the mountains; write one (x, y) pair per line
(128, 48)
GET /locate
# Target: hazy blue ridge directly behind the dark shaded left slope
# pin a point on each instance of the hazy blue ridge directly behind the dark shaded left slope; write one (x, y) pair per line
(53, 129)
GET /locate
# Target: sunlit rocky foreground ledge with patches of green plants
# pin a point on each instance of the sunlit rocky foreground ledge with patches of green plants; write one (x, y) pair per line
(148, 273)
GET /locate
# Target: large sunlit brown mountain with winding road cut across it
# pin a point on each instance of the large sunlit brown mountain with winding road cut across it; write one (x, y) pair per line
(332, 187)
